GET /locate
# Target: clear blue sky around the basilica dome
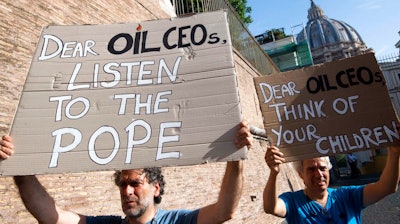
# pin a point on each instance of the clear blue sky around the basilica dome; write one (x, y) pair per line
(377, 21)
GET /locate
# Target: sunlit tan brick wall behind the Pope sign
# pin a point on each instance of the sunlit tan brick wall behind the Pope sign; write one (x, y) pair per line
(94, 193)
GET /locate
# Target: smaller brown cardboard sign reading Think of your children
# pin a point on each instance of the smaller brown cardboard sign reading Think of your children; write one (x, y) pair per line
(337, 107)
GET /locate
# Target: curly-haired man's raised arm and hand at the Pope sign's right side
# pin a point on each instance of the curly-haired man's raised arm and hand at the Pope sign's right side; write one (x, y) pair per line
(231, 187)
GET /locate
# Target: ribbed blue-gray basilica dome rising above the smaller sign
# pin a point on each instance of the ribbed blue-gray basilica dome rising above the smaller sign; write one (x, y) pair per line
(330, 39)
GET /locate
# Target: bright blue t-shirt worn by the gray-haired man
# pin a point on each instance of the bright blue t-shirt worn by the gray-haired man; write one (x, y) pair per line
(344, 205)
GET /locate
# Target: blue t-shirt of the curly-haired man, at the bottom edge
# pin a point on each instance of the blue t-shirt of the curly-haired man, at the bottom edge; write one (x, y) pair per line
(162, 217)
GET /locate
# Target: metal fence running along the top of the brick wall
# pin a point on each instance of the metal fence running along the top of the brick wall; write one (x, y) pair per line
(242, 40)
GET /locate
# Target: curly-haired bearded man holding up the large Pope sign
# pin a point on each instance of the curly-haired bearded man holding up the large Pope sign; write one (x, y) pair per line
(140, 191)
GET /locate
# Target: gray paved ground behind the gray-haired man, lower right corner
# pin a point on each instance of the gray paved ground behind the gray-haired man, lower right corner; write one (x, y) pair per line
(386, 211)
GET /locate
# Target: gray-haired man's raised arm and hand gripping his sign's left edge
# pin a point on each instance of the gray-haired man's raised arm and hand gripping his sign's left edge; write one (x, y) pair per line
(273, 204)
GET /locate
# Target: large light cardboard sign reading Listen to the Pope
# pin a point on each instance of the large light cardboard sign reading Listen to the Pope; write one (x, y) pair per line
(123, 96)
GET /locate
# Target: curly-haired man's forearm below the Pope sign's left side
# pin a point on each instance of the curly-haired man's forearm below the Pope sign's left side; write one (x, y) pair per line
(36, 199)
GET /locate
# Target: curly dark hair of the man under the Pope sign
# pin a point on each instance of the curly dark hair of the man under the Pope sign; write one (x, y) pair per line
(153, 175)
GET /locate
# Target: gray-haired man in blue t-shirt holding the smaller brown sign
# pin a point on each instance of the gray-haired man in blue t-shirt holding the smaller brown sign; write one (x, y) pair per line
(317, 203)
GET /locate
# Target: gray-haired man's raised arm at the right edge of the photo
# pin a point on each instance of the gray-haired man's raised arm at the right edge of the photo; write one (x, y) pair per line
(388, 181)
